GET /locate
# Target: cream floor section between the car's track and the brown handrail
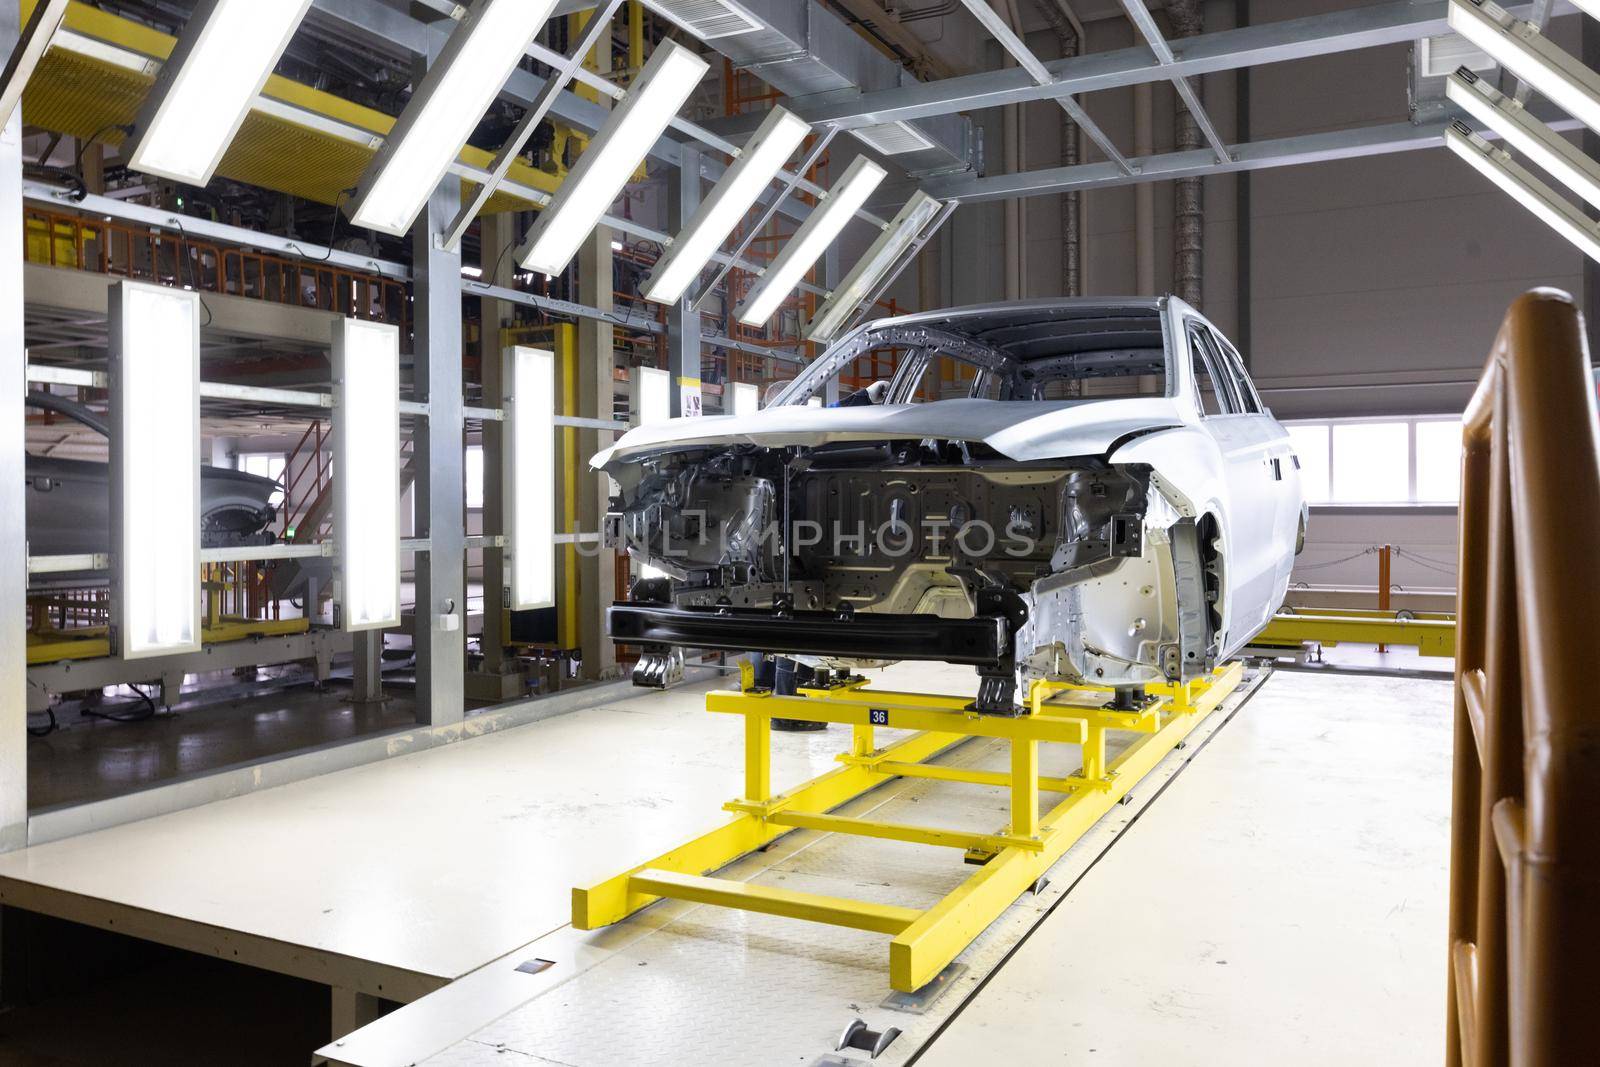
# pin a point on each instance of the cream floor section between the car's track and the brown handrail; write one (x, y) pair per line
(1284, 903)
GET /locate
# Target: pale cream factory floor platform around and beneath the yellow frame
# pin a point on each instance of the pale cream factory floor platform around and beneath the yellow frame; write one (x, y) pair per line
(449, 868)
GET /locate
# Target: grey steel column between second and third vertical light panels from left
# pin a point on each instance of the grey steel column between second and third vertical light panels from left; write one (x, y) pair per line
(441, 486)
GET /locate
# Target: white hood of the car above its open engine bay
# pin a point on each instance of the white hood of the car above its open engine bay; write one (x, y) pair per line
(1022, 431)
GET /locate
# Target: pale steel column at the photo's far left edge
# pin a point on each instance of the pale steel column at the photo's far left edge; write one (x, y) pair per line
(14, 530)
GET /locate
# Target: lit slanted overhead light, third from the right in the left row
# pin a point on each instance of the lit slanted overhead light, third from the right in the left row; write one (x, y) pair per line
(761, 161)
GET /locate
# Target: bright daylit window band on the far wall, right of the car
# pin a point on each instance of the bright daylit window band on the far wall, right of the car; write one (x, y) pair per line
(1380, 462)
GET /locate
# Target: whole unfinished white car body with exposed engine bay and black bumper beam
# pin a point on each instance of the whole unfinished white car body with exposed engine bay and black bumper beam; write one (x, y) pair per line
(1082, 490)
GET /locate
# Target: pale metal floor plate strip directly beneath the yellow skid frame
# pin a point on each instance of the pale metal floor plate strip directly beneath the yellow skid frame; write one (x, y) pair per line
(706, 986)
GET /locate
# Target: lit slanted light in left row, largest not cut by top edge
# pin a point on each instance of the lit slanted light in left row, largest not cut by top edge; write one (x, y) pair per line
(612, 158)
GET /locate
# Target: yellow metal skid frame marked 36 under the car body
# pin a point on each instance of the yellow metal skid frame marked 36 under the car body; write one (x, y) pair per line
(1014, 858)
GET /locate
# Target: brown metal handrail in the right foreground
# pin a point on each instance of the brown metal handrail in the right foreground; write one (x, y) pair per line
(1524, 954)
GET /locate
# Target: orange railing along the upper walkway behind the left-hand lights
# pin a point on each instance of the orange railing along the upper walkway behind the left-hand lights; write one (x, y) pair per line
(119, 249)
